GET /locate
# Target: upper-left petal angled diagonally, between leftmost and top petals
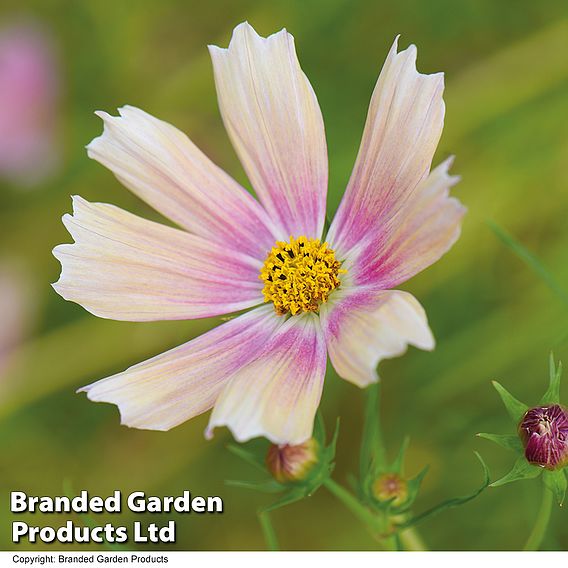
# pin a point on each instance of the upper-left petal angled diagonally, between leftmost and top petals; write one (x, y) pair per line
(163, 167)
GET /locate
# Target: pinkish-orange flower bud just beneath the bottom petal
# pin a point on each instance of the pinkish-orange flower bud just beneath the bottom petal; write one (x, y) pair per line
(292, 463)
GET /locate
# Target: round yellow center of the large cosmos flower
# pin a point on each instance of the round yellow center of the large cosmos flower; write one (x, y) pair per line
(298, 276)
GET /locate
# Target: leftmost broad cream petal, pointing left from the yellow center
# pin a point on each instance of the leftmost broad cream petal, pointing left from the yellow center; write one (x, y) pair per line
(124, 267)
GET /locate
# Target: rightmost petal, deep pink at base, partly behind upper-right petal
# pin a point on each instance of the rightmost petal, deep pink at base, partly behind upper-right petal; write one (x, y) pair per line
(427, 227)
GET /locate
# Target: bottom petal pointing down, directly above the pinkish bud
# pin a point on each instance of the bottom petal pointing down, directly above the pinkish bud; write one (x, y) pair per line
(277, 394)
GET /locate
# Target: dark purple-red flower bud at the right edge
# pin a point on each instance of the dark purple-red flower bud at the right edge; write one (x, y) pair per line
(544, 433)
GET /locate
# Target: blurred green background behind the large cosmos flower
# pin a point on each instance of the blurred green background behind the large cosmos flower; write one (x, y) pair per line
(506, 70)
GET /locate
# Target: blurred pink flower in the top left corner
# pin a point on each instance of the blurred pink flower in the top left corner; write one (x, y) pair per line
(28, 97)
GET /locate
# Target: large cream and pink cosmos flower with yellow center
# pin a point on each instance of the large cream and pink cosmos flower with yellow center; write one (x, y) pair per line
(313, 295)
